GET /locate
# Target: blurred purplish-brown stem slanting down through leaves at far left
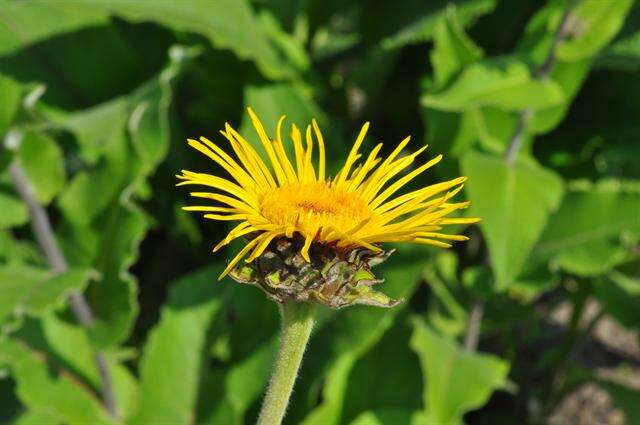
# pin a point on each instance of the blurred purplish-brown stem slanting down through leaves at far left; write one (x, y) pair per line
(43, 233)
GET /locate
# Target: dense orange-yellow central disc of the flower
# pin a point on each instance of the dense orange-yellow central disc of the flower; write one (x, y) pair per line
(312, 205)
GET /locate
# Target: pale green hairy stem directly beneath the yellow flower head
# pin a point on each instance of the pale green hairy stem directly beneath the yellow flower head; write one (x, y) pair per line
(297, 322)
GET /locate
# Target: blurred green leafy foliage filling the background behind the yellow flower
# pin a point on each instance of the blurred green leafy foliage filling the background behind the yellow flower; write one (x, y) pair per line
(535, 319)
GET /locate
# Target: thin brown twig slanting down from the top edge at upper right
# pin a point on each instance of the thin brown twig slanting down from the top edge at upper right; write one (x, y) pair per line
(542, 72)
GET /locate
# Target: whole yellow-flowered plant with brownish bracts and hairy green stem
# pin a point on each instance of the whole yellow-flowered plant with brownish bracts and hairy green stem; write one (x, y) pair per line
(313, 238)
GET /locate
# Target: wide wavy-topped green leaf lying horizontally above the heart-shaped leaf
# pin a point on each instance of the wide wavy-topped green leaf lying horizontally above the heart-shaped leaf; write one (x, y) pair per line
(507, 85)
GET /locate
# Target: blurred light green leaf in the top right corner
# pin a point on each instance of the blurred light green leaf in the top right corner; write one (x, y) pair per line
(593, 24)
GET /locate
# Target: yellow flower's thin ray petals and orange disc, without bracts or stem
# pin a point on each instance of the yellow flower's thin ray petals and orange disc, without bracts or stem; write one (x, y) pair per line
(356, 208)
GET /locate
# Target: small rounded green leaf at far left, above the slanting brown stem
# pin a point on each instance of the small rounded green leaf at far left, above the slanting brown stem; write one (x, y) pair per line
(43, 163)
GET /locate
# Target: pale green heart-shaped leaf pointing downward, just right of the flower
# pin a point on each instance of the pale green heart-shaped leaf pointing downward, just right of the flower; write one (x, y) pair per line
(514, 202)
